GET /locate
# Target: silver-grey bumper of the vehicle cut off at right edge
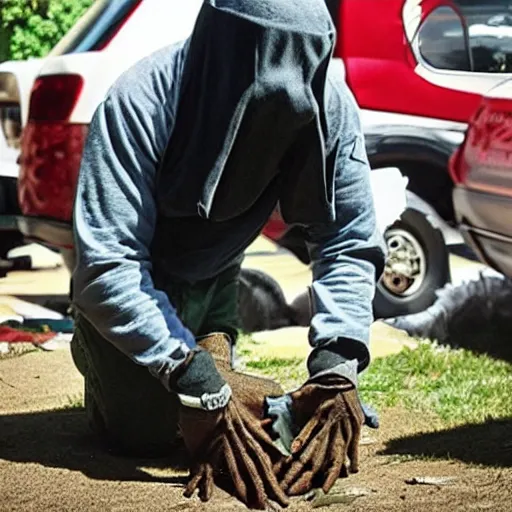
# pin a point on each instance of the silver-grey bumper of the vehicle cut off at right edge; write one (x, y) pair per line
(484, 221)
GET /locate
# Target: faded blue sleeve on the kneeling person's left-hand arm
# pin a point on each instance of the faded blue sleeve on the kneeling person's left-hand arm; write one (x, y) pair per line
(114, 221)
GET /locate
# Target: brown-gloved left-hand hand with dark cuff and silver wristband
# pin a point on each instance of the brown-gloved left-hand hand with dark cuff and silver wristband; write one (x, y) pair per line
(227, 444)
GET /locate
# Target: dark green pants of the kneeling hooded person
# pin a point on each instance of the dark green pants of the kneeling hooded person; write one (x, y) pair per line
(126, 406)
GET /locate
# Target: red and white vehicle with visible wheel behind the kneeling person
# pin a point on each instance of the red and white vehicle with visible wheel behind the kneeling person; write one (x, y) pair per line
(444, 55)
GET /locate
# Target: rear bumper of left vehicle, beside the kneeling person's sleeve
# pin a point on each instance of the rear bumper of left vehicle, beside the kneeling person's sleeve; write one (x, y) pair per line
(50, 232)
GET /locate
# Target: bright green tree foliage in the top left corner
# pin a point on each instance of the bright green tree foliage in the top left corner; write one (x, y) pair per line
(31, 28)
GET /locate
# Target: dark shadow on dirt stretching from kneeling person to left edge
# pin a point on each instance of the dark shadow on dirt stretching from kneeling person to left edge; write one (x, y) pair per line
(60, 439)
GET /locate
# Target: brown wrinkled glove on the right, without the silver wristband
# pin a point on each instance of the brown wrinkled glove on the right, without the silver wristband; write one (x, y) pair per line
(330, 417)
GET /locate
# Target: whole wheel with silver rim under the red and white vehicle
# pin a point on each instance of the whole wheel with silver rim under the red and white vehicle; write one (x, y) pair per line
(416, 267)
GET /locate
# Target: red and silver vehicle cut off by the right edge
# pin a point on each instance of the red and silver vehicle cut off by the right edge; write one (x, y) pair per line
(482, 171)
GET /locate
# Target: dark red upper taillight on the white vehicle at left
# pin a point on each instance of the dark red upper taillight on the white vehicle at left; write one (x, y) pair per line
(53, 97)
